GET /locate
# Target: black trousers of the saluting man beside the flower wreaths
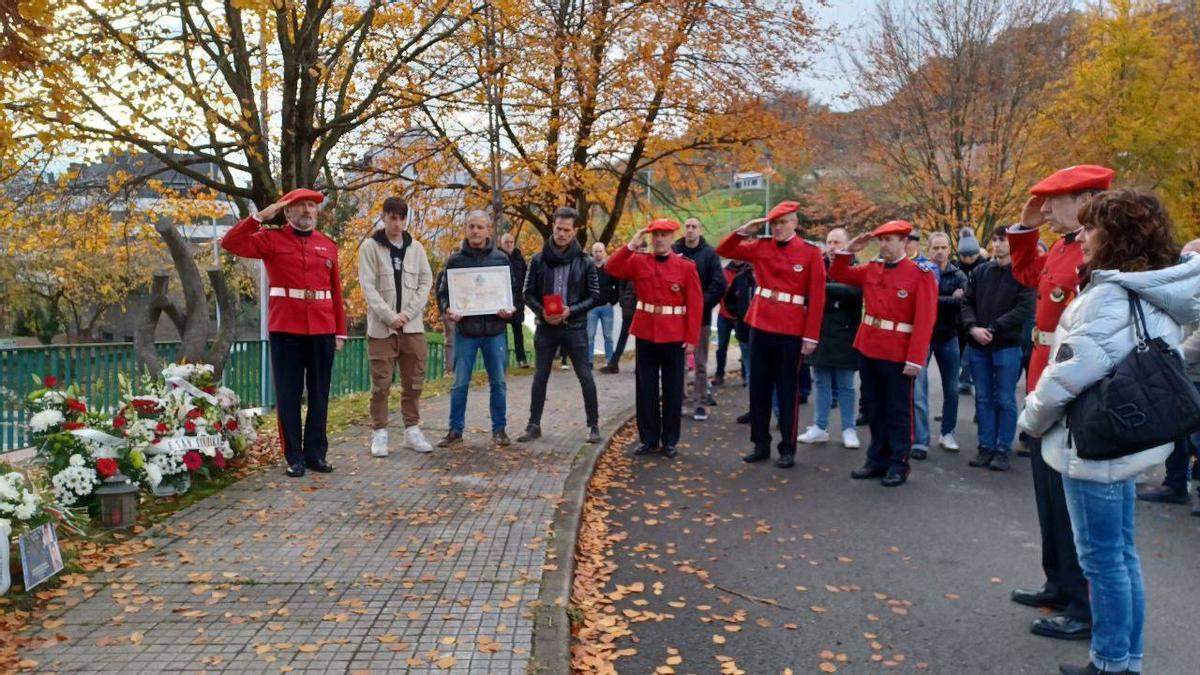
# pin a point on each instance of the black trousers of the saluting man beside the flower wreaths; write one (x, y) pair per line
(303, 363)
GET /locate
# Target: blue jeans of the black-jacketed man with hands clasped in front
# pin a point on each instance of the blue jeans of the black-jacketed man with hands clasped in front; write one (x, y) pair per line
(997, 373)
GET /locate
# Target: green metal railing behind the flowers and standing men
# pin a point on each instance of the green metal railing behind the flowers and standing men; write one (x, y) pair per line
(95, 369)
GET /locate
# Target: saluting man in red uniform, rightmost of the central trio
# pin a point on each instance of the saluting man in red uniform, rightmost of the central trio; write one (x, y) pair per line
(901, 298)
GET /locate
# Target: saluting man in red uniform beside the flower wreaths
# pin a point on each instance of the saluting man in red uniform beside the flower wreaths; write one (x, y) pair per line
(305, 319)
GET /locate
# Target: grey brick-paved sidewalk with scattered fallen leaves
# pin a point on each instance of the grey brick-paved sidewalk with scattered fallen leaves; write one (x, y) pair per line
(418, 563)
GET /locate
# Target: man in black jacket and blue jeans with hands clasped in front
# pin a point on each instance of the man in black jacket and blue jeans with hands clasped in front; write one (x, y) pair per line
(995, 308)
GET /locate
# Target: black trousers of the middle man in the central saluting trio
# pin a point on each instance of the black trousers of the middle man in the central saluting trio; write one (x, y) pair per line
(775, 369)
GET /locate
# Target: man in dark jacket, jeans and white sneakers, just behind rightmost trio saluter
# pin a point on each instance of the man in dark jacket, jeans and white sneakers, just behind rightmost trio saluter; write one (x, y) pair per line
(945, 348)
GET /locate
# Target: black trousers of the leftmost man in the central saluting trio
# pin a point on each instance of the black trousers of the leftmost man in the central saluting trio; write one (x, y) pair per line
(659, 377)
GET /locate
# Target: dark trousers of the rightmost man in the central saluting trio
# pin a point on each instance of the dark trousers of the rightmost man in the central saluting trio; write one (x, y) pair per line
(887, 398)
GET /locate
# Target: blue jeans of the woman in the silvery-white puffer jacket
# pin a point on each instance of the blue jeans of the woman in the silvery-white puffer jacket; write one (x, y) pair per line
(1103, 522)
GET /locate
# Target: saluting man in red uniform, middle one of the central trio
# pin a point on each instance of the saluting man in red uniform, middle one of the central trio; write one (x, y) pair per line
(785, 319)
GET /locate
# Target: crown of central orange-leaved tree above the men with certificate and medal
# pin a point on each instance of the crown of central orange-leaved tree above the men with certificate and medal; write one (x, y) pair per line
(591, 95)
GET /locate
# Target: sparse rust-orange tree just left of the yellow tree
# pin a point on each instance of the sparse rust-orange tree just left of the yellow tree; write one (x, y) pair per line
(951, 92)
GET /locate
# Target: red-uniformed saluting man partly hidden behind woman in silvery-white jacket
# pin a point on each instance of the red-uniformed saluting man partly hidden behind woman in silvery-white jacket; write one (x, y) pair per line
(1055, 274)
